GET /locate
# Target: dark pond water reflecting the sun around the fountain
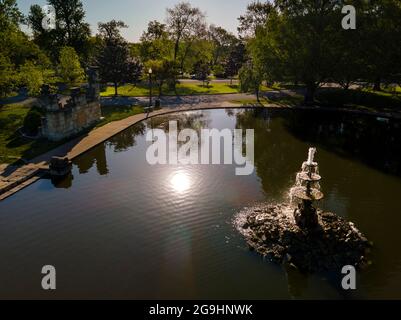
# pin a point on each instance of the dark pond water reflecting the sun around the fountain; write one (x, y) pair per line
(120, 228)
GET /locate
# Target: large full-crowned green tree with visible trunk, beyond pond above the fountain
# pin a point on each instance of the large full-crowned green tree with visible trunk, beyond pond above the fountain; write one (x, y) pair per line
(296, 43)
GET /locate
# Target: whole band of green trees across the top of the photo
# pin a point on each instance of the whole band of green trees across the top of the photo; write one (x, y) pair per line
(290, 41)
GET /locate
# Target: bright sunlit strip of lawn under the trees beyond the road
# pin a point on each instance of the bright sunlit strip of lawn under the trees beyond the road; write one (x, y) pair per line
(185, 88)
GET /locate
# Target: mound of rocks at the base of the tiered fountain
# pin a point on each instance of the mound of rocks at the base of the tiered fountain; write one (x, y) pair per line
(271, 230)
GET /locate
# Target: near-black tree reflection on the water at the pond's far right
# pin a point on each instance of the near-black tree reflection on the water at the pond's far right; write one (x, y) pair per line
(373, 142)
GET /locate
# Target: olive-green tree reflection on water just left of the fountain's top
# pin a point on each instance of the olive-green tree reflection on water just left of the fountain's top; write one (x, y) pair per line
(274, 150)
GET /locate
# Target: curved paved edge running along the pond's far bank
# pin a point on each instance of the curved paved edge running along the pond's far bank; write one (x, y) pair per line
(21, 177)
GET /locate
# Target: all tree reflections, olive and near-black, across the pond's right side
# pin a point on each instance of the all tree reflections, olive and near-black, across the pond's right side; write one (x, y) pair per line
(277, 142)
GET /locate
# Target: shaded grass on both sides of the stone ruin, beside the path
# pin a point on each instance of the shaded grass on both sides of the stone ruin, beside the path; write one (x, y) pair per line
(13, 146)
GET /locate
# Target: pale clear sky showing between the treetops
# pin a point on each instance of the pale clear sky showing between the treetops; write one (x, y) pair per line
(137, 13)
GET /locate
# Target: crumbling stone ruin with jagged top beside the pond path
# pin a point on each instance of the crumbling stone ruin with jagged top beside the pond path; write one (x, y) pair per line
(66, 116)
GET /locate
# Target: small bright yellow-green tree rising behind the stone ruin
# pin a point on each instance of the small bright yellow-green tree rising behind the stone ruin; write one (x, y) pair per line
(70, 69)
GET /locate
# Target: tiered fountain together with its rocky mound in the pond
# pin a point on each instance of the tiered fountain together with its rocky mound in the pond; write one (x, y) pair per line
(297, 234)
